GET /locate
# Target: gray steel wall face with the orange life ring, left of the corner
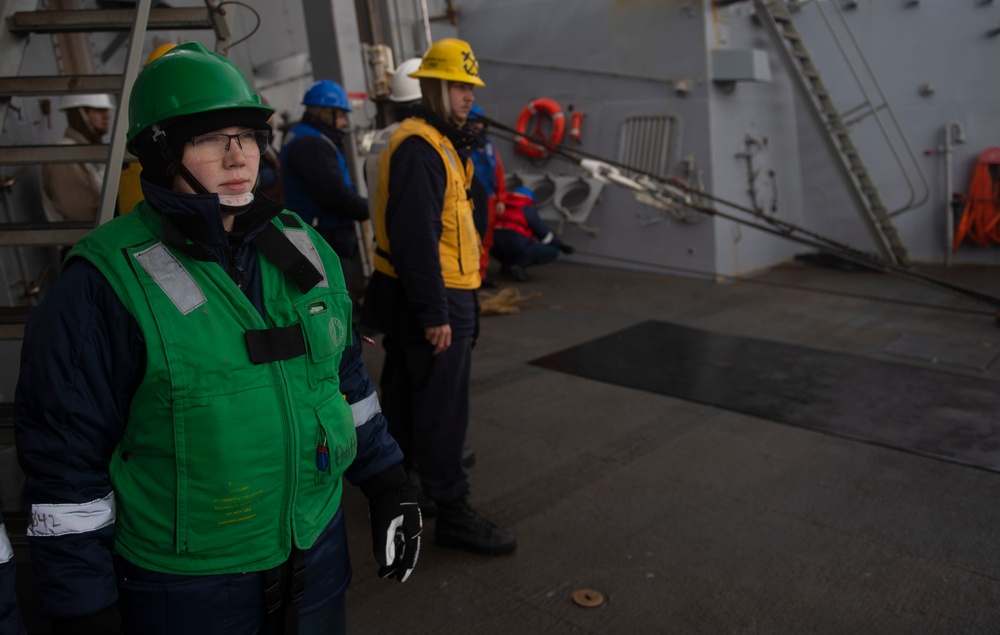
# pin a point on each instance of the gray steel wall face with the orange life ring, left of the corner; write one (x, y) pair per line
(609, 60)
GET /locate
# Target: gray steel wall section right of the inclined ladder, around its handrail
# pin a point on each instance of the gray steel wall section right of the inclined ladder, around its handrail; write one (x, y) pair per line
(943, 43)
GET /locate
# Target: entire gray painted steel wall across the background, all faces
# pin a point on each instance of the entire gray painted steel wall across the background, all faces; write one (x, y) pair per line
(570, 51)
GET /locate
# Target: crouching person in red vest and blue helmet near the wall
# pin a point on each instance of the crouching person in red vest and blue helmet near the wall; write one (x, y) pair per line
(522, 239)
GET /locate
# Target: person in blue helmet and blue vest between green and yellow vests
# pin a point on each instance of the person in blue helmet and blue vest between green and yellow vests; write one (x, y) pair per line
(316, 182)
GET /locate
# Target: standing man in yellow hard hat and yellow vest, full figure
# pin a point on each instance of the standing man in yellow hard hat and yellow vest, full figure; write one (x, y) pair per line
(422, 295)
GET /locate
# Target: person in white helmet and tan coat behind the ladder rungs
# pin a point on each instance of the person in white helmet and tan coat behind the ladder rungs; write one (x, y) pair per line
(72, 191)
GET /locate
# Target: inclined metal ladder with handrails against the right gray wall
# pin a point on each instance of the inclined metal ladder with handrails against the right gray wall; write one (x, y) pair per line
(776, 17)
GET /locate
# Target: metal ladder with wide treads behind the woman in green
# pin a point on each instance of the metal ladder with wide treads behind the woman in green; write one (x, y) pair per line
(21, 19)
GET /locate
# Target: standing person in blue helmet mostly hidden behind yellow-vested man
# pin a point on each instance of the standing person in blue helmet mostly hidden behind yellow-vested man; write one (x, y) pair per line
(489, 187)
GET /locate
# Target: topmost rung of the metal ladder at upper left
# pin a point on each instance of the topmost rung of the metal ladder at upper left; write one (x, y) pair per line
(76, 21)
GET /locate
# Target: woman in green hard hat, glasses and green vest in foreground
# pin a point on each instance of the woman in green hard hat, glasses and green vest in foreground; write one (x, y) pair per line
(191, 394)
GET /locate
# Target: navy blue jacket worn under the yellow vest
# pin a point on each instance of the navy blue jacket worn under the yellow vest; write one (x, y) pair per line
(417, 299)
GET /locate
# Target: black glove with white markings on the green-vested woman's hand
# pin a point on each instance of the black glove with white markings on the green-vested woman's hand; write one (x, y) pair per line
(396, 522)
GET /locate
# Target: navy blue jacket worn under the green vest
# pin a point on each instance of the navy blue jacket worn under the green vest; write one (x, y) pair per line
(83, 357)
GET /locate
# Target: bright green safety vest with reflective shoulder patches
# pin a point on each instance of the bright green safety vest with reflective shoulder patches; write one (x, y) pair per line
(221, 466)
